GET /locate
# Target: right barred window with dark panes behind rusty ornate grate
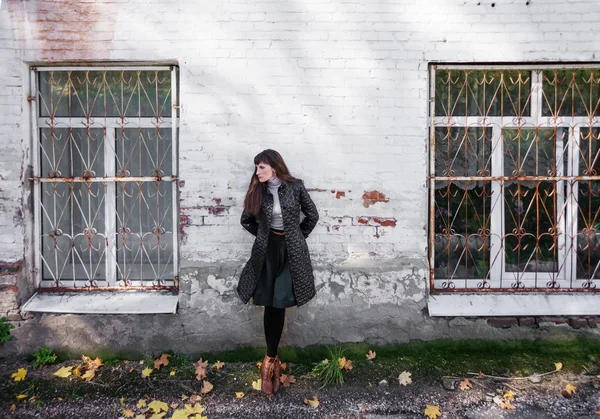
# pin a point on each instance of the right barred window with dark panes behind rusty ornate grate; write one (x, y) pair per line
(514, 179)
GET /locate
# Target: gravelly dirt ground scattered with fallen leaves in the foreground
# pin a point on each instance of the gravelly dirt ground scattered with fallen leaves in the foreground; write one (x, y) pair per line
(370, 390)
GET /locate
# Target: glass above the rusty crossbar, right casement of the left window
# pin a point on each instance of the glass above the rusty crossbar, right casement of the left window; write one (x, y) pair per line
(144, 152)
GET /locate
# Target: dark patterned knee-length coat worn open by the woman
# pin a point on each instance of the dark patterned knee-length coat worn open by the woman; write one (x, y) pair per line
(293, 198)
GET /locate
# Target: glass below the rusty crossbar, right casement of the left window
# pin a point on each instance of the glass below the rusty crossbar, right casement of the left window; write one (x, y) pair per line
(145, 231)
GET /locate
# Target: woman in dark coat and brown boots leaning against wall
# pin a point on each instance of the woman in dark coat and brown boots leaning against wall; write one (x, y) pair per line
(279, 273)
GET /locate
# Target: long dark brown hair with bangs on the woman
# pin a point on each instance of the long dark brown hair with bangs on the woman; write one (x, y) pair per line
(257, 191)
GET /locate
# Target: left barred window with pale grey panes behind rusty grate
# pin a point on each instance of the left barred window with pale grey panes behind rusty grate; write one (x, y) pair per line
(105, 171)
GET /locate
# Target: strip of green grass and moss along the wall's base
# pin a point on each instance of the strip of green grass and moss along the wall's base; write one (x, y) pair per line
(445, 356)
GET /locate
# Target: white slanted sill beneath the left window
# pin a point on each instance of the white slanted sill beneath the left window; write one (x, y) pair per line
(100, 302)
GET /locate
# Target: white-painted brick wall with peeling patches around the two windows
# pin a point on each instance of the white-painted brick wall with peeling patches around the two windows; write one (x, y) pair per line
(340, 88)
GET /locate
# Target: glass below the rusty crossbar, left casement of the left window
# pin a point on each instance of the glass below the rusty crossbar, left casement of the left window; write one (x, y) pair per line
(73, 236)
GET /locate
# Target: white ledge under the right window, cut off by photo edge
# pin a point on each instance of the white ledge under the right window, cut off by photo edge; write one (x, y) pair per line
(511, 304)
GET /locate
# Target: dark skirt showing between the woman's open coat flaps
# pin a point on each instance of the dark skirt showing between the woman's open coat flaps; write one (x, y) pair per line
(275, 287)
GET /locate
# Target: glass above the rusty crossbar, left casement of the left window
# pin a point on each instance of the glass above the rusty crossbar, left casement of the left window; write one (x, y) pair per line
(72, 152)
